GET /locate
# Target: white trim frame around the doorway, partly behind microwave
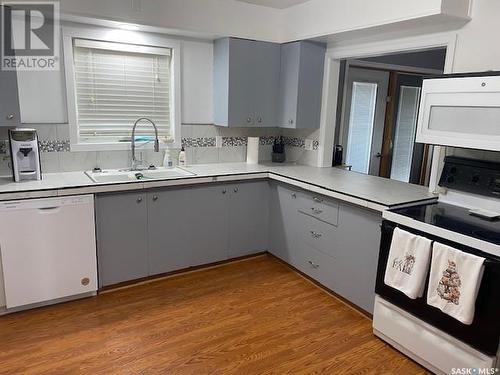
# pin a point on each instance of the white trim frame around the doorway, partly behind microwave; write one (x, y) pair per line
(331, 80)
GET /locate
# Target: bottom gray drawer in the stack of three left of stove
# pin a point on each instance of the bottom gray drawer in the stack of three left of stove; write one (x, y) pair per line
(315, 264)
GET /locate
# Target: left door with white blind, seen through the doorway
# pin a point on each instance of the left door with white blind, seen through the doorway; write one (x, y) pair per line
(363, 119)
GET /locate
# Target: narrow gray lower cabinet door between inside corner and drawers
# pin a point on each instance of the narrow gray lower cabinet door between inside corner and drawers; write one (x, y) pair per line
(283, 221)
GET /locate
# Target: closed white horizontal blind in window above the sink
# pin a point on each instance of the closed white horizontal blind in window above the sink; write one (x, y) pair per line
(118, 83)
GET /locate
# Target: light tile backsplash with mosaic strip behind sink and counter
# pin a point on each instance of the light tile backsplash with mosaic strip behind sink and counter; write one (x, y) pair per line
(199, 142)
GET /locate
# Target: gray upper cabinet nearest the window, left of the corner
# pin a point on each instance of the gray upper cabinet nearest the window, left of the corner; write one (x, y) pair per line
(246, 83)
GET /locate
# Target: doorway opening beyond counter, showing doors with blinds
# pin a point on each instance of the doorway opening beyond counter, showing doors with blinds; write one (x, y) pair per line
(380, 101)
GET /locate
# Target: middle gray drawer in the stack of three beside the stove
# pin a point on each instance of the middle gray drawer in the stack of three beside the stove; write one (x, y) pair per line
(316, 234)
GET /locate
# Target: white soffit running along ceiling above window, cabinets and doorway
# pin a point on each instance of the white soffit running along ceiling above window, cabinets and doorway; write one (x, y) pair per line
(216, 18)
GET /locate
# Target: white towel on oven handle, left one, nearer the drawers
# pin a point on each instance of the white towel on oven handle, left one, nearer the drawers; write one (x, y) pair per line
(408, 263)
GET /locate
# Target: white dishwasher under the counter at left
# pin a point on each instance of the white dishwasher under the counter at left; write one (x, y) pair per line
(48, 249)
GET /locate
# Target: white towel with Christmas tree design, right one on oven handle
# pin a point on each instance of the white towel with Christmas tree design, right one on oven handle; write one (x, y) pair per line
(454, 282)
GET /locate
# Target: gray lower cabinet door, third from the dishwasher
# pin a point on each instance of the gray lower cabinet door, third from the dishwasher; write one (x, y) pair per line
(208, 223)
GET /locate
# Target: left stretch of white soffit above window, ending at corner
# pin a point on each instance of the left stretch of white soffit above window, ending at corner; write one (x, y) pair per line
(211, 17)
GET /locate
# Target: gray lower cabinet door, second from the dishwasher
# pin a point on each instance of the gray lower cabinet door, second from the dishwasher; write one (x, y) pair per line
(169, 234)
